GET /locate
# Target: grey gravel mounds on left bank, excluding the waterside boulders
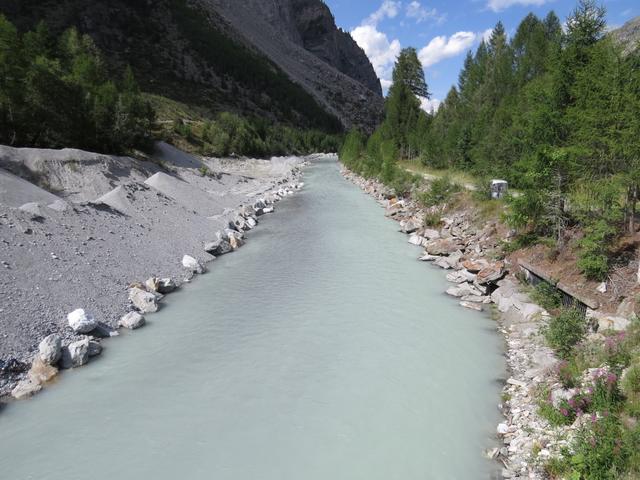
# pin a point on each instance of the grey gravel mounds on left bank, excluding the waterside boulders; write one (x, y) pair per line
(110, 225)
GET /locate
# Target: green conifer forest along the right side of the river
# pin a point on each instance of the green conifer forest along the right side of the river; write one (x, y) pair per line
(555, 112)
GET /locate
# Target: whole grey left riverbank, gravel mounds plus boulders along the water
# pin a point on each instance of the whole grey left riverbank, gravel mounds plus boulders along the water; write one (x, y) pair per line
(109, 236)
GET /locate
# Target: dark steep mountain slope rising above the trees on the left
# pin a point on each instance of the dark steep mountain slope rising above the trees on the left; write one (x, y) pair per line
(283, 60)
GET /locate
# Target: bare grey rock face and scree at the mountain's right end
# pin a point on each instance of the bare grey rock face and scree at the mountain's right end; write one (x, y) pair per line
(301, 37)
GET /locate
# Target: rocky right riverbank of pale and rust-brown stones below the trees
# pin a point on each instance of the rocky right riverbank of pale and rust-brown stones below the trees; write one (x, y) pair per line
(470, 250)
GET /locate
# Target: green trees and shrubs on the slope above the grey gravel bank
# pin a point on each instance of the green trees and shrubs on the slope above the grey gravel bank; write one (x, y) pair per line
(57, 91)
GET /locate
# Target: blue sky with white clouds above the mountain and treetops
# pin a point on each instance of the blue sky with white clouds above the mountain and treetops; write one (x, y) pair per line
(443, 31)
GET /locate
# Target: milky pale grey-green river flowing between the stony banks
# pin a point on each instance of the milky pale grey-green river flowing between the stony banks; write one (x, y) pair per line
(321, 350)
